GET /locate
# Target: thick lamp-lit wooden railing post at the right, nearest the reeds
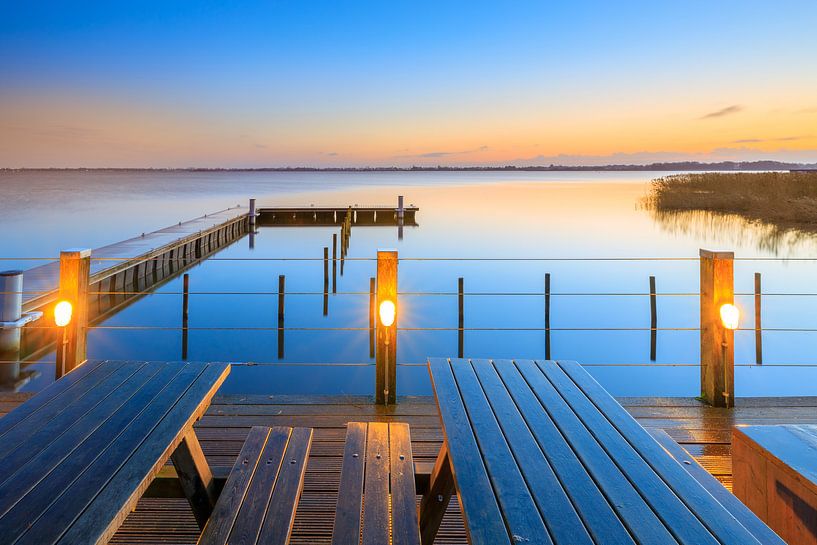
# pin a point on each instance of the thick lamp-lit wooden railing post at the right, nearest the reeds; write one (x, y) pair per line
(717, 342)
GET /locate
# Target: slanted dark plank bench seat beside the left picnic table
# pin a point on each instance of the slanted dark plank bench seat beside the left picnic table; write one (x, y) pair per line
(259, 499)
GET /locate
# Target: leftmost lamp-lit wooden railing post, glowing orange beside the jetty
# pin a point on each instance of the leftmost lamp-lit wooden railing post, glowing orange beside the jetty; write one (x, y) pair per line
(75, 269)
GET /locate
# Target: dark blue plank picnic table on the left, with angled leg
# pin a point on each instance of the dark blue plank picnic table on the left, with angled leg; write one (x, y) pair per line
(76, 458)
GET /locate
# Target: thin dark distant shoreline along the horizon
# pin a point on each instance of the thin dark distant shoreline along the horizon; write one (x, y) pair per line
(688, 166)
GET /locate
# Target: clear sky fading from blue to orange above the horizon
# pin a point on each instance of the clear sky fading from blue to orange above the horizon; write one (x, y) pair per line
(196, 83)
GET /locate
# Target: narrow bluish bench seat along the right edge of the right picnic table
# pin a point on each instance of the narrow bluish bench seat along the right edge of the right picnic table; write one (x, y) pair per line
(738, 509)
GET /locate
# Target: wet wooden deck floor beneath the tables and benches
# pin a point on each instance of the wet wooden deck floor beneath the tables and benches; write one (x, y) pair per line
(703, 431)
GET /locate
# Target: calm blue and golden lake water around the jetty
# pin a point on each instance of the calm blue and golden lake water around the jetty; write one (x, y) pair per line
(471, 216)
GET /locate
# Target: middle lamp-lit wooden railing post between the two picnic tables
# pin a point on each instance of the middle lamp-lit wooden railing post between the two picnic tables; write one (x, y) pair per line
(386, 352)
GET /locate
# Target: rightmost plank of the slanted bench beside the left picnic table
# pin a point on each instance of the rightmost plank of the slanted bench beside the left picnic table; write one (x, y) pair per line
(288, 486)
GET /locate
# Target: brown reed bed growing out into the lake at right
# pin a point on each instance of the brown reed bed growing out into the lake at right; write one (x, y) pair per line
(786, 200)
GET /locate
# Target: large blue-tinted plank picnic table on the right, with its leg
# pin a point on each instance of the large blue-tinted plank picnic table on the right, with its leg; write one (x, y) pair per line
(539, 452)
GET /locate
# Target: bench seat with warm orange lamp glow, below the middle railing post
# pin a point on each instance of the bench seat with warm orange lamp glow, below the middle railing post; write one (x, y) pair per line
(377, 466)
